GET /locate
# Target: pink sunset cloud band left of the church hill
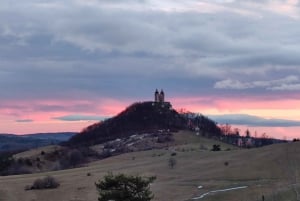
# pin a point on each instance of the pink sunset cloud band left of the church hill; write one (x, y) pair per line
(41, 114)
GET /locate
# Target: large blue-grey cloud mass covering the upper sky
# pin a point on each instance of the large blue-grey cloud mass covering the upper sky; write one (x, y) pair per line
(73, 48)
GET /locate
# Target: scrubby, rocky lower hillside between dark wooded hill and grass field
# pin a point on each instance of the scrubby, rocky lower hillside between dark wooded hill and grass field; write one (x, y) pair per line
(57, 157)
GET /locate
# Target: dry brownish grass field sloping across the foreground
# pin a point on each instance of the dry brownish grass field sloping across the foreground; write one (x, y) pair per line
(272, 171)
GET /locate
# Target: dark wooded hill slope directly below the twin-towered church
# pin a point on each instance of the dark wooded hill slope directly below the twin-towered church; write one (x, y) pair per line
(140, 117)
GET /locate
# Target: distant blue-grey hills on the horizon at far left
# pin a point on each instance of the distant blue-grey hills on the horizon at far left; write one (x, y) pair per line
(12, 142)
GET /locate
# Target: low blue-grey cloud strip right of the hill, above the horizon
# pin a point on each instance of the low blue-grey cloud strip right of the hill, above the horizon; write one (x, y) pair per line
(249, 120)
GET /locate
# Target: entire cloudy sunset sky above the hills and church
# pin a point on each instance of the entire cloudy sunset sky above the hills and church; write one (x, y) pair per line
(65, 64)
